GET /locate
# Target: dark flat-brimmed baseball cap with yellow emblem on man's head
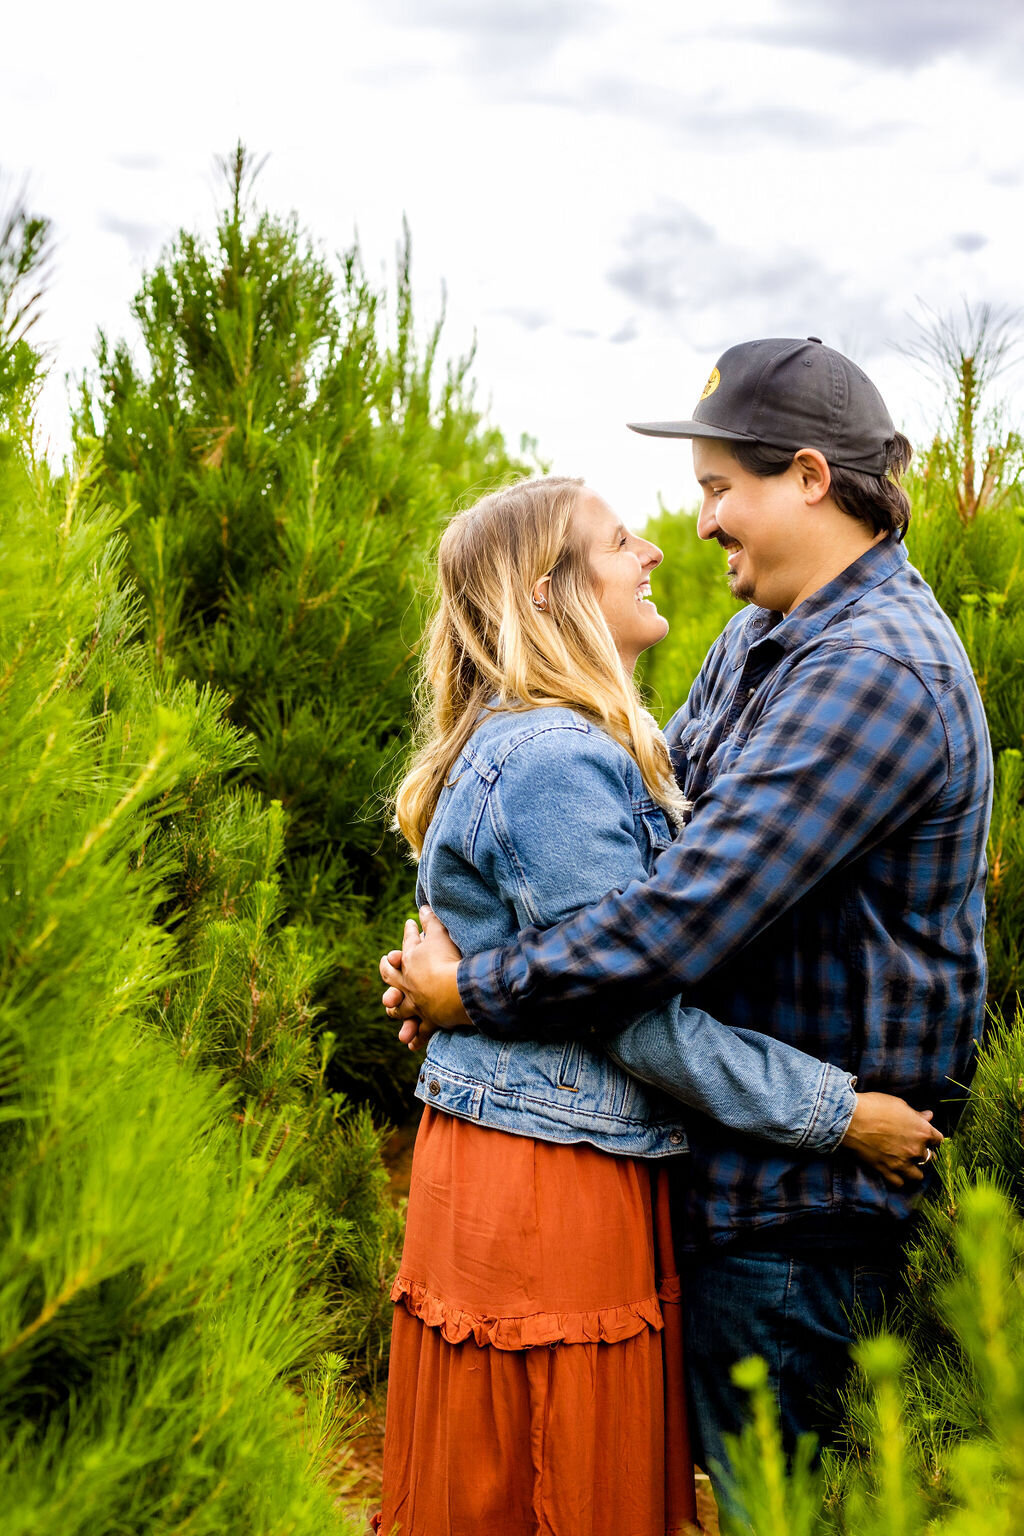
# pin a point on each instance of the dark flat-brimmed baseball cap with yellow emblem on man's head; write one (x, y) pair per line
(790, 396)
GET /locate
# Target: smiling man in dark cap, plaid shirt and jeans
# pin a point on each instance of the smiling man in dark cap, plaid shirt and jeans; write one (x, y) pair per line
(828, 889)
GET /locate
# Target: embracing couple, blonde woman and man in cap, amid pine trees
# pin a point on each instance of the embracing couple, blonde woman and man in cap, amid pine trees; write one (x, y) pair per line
(707, 999)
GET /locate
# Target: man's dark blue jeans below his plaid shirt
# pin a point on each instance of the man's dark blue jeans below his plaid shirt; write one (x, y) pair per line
(791, 1308)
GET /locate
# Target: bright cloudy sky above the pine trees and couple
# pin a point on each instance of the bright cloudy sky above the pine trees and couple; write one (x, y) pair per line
(610, 193)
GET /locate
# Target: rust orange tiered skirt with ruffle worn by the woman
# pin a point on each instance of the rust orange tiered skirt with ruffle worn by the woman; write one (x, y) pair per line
(537, 1380)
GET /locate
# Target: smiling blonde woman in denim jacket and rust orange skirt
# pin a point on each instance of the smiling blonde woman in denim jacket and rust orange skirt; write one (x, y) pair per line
(538, 1210)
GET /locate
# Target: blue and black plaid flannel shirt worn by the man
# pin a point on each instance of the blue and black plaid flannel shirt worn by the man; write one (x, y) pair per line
(828, 889)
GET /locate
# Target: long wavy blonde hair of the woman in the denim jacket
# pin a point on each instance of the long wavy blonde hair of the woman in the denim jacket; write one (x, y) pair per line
(492, 647)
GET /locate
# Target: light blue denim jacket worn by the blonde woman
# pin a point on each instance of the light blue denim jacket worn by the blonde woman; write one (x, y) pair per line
(543, 815)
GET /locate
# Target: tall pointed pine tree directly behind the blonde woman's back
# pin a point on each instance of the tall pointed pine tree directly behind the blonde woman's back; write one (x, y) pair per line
(285, 471)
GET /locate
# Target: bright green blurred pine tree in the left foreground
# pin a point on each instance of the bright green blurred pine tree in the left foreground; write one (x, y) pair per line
(162, 1270)
